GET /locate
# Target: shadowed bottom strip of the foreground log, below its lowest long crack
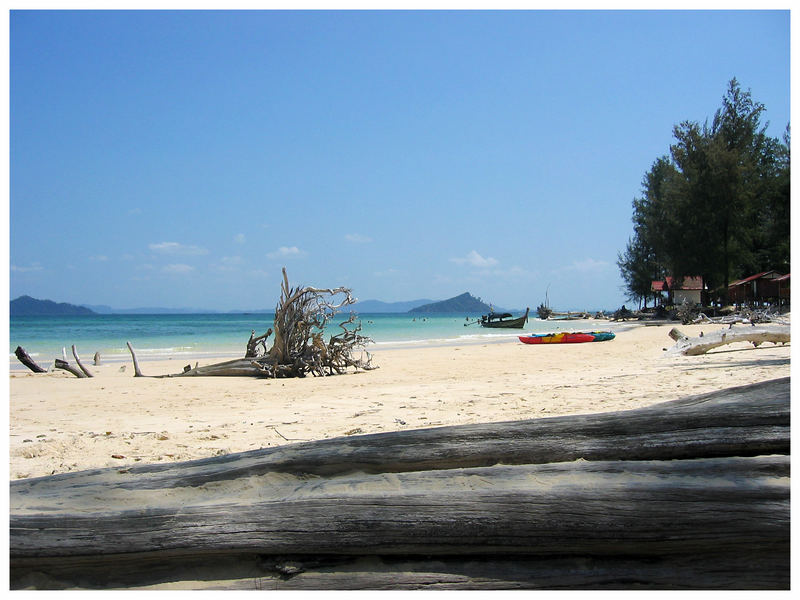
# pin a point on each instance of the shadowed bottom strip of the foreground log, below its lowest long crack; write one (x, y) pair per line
(327, 572)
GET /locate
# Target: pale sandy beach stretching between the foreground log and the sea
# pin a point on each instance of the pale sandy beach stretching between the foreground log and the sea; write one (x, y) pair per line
(59, 423)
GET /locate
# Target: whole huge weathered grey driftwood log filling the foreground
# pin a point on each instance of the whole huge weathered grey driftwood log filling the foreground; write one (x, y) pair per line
(690, 494)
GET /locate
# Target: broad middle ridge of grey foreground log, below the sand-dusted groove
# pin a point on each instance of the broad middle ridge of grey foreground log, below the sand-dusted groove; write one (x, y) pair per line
(598, 508)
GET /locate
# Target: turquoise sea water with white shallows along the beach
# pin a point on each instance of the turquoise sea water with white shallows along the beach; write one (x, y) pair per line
(198, 336)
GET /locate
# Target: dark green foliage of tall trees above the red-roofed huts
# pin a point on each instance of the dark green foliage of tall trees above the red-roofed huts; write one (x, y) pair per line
(717, 206)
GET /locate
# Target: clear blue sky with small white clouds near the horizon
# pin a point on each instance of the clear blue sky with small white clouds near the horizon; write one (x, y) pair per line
(182, 158)
